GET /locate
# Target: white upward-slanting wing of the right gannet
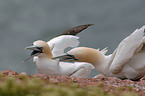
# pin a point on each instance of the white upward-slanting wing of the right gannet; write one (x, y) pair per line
(126, 50)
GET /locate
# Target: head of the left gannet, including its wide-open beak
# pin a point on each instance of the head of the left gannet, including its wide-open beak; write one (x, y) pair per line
(40, 48)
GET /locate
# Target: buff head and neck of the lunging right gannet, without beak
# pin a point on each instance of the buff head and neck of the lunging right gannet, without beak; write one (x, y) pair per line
(89, 55)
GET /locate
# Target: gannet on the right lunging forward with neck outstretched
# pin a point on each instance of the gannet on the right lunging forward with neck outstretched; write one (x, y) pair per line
(126, 62)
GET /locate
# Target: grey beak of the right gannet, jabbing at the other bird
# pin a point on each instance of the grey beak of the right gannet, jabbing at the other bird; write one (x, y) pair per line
(66, 58)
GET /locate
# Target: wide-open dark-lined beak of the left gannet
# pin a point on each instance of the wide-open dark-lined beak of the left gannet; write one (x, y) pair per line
(36, 51)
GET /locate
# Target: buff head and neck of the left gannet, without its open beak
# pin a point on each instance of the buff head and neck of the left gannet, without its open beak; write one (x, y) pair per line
(46, 49)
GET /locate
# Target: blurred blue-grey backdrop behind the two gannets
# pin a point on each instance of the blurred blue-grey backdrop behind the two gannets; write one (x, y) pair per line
(24, 21)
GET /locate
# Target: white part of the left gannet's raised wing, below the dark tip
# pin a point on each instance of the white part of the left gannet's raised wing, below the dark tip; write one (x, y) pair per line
(59, 43)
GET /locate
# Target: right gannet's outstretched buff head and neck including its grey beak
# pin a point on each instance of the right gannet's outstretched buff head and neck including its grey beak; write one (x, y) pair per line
(82, 54)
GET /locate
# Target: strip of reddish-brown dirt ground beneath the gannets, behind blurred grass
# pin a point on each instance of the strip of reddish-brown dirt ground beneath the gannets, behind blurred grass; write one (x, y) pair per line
(109, 84)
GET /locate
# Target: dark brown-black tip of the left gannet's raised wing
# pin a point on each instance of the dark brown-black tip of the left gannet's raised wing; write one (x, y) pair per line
(74, 31)
